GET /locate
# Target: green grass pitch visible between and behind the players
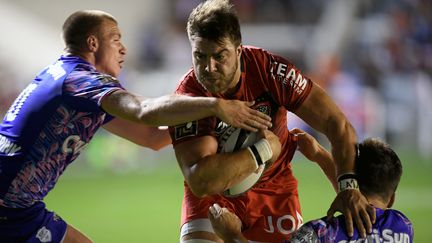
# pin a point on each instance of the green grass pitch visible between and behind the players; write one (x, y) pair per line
(140, 207)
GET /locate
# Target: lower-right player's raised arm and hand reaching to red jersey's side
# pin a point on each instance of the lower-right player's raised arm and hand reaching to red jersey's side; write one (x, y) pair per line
(313, 151)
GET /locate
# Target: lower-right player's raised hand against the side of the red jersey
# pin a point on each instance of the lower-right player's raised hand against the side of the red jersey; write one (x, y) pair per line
(306, 144)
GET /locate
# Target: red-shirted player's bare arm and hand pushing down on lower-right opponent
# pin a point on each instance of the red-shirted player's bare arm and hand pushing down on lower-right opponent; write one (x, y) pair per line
(330, 120)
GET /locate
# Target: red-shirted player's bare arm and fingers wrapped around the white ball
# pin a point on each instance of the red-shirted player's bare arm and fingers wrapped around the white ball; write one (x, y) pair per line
(208, 172)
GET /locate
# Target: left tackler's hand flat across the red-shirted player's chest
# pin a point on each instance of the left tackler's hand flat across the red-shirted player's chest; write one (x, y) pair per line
(239, 114)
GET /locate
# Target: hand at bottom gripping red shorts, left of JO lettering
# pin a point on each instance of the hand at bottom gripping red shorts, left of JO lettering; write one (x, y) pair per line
(225, 224)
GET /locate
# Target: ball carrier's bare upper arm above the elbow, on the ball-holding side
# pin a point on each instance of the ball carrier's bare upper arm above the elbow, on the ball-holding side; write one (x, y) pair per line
(191, 152)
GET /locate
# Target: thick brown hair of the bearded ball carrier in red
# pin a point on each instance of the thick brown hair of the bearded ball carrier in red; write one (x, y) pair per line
(214, 20)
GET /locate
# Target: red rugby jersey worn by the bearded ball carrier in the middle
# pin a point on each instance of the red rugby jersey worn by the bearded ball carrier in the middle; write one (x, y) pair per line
(275, 85)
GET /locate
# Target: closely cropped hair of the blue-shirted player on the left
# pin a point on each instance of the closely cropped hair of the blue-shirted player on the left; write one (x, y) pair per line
(80, 25)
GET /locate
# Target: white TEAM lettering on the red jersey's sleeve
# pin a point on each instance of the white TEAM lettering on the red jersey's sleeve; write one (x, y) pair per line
(288, 77)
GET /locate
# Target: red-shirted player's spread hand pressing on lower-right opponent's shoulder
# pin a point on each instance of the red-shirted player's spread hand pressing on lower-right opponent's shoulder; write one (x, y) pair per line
(355, 207)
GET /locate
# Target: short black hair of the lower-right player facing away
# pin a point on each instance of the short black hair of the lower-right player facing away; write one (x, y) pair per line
(378, 168)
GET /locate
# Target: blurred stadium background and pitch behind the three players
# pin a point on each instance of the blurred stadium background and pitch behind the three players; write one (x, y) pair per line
(373, 57)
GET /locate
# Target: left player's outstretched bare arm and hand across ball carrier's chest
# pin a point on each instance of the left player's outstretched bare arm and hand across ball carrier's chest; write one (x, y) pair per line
(176, 109)
